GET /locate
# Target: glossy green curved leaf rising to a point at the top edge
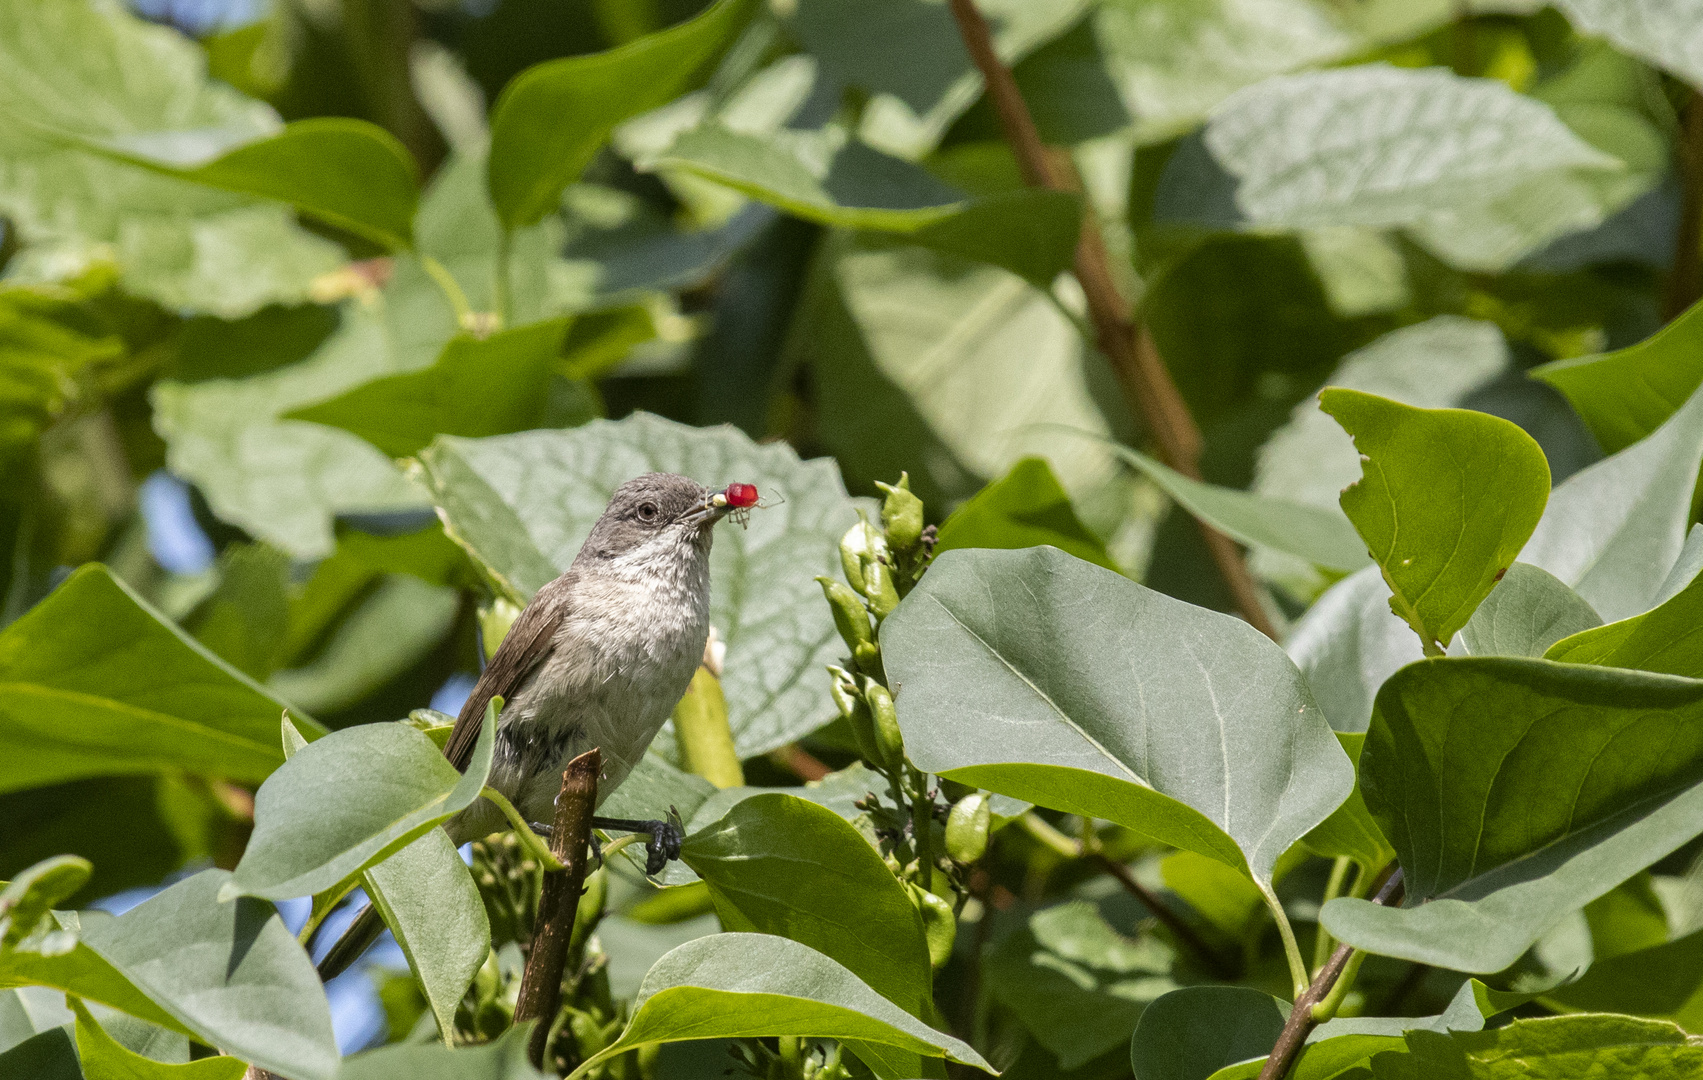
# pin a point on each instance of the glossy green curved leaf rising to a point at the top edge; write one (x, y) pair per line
(553, 117)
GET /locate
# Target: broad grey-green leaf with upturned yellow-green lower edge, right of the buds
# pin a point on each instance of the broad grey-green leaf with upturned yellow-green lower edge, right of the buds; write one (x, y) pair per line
(1009, 687)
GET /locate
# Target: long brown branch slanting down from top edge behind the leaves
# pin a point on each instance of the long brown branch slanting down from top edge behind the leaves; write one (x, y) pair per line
(1149, 388)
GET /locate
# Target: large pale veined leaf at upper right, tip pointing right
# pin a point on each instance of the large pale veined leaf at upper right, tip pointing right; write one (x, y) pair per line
(1477, 171)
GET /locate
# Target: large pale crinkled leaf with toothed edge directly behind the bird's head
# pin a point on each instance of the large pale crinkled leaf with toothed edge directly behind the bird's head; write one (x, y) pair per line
(525, 503)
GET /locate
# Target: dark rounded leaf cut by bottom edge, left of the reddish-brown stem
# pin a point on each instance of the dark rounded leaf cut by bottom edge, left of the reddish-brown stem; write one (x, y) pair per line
(1193, 1033)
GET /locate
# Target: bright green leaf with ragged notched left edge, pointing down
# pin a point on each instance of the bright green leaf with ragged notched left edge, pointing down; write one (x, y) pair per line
(1447, 502)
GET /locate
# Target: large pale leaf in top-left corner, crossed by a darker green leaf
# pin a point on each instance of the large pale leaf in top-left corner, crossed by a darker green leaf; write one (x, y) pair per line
(100, 72)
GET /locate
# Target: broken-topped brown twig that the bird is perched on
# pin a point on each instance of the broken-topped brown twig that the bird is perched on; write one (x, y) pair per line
(541, 996)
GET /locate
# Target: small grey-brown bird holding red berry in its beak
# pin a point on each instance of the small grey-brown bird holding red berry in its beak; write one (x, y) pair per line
(599, 658)
